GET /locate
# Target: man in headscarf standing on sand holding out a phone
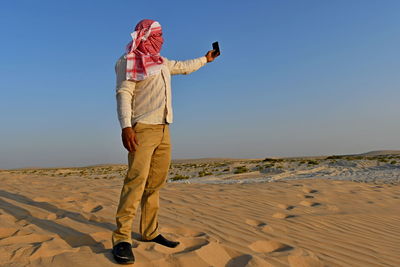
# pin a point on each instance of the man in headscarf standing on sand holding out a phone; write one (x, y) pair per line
(144, 108)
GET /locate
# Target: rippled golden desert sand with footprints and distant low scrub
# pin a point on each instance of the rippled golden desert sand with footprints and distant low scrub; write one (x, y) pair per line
(322, 211)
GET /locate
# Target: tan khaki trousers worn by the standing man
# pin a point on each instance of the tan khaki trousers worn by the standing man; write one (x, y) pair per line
(147, 173)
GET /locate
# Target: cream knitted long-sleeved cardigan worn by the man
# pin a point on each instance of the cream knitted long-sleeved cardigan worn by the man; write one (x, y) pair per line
(149, 101)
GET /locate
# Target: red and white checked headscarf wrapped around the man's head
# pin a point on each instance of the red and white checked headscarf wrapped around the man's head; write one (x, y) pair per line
(143, 52)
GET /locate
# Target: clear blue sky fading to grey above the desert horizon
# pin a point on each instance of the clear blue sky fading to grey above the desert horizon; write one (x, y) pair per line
(294, 78)
